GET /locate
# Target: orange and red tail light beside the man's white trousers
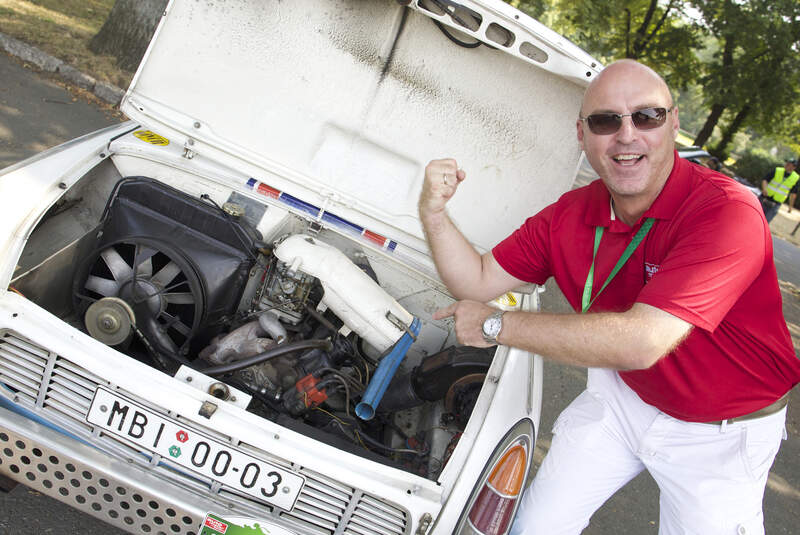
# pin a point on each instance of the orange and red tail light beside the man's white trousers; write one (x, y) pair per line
(496, 496)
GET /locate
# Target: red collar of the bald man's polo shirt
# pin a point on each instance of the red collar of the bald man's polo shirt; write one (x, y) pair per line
(674, 192)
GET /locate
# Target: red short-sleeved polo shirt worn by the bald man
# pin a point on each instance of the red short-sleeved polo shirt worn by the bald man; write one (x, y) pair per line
(707, 260)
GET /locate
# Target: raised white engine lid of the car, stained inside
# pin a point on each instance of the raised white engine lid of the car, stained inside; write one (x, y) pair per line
(341, 103)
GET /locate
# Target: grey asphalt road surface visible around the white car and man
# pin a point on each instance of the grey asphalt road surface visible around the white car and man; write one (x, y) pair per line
(36, 113)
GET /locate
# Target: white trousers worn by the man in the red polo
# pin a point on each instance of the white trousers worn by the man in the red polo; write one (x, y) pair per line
(711, 478)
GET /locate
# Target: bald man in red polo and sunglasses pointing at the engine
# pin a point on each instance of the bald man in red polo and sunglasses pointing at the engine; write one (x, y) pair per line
(669, 268)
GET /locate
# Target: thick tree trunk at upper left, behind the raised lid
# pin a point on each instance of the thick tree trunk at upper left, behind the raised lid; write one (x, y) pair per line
(127, 31)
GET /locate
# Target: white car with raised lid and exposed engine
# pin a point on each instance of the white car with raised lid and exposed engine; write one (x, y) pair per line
(216, 317)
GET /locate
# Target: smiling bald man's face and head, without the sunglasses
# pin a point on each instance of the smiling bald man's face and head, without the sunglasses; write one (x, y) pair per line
(631, 162)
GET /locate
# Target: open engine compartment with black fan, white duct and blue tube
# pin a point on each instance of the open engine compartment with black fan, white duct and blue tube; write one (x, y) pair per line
(324, 335)
